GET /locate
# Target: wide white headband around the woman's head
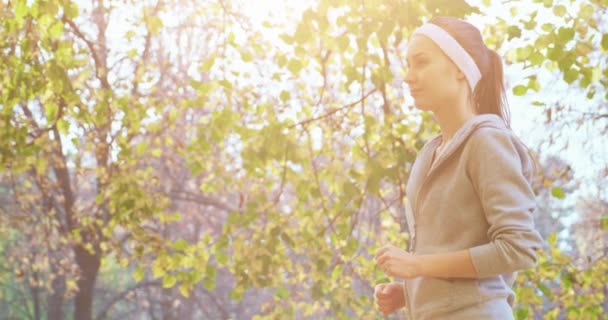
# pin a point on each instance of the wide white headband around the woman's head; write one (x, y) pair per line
(453, 50)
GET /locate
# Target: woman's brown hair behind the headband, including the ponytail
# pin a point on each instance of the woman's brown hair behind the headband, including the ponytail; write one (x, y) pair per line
(489, 95)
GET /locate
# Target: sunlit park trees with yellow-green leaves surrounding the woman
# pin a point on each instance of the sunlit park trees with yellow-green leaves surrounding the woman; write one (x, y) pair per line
(235, 159)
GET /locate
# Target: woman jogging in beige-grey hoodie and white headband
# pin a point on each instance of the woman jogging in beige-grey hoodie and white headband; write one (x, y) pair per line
(469, 200)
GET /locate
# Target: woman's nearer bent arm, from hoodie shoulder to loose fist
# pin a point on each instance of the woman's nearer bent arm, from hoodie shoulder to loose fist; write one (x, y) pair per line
(499, 174)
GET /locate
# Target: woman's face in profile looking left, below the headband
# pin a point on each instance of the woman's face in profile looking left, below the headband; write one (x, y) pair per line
(433, 79)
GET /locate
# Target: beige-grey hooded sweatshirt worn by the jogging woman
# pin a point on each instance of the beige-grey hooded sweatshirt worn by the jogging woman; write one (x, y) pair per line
(477, 196)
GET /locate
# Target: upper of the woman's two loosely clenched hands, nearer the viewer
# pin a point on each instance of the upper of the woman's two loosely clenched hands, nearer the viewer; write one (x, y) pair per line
(396, 262)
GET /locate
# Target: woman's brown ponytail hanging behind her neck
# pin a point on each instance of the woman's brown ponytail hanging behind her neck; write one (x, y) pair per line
(489, 93)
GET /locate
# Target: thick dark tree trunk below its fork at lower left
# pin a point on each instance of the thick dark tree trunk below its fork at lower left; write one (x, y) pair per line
(89, 266)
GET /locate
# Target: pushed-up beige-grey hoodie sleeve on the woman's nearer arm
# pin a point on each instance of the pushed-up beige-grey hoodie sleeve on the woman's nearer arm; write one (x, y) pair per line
(500, 170)
